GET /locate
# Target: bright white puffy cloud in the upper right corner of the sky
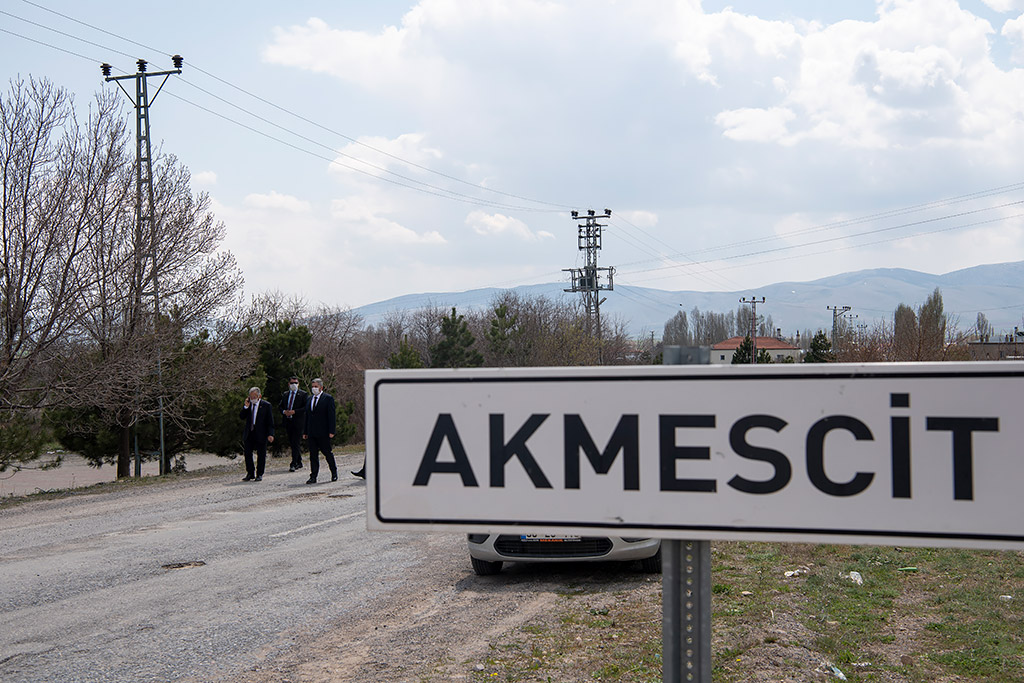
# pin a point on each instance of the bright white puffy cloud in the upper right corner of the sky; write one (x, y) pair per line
(920, 76)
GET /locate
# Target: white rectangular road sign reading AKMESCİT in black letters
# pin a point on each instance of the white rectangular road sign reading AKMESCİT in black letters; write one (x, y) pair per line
(908, 454)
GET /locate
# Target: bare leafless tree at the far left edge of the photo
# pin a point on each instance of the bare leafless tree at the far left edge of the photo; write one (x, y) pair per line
(61, 187)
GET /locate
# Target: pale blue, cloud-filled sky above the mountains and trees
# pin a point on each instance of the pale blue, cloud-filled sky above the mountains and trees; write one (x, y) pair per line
(361, 151)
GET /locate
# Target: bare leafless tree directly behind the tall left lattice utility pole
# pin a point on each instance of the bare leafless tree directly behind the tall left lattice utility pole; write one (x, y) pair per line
(133, 366)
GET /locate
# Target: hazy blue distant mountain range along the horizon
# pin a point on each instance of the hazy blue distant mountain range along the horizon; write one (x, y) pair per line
(997, 290)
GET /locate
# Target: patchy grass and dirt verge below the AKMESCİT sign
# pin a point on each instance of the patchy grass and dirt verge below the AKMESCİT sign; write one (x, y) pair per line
(792, 613)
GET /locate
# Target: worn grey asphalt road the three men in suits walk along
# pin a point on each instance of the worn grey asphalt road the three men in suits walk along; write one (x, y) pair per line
(209, 579)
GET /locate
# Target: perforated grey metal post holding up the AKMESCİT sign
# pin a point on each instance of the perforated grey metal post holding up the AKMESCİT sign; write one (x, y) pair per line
(686, 585)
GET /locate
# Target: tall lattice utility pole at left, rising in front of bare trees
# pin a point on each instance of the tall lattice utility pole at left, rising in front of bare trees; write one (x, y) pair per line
(146, 210)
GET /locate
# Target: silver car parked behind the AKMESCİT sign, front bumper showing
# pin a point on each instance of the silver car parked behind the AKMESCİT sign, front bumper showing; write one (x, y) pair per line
(489, 551)
